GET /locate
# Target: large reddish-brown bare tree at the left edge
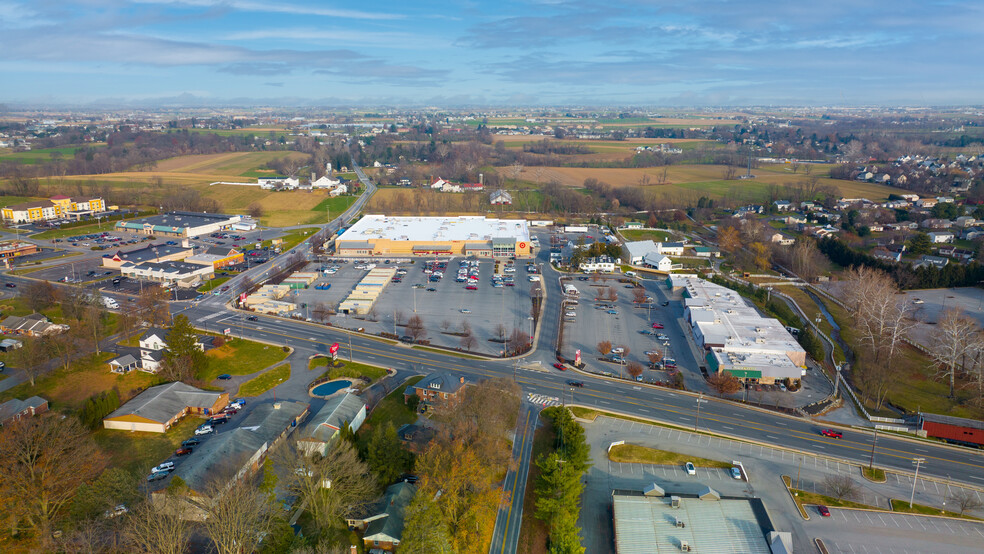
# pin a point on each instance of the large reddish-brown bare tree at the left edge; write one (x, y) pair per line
(43, 460)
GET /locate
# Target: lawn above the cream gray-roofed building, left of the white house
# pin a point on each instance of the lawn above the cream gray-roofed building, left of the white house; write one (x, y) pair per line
(85, 377)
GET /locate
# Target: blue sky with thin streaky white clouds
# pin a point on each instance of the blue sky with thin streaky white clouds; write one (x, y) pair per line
(493, 53)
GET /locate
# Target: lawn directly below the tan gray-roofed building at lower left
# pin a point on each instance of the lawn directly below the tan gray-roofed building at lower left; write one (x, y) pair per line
(137, 452)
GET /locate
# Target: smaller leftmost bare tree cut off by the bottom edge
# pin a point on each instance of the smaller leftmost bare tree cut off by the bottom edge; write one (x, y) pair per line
(155, 527)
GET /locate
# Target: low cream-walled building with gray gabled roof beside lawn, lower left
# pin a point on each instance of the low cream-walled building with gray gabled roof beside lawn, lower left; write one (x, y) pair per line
(157, 409)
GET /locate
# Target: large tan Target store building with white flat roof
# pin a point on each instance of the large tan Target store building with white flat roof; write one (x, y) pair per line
(380, 235)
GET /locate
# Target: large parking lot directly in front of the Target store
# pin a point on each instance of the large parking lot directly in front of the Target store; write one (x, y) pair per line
(445, 306)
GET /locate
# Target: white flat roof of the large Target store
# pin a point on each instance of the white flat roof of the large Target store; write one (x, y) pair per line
(436, 229)
